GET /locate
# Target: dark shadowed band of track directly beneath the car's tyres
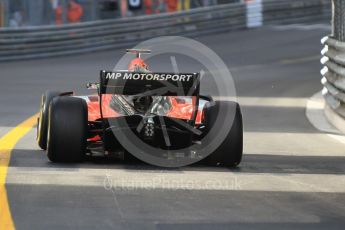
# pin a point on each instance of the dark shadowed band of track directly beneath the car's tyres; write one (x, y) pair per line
(258, 163)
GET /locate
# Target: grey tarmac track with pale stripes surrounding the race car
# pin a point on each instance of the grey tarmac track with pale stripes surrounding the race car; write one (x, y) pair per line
(292, 175)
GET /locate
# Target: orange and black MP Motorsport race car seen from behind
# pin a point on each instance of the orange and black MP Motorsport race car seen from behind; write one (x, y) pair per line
(72, 127)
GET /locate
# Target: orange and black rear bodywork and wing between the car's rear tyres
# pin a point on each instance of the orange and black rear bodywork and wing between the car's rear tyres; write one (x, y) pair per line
(177, 93)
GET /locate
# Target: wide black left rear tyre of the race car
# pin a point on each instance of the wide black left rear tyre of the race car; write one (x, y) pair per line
(67, 129)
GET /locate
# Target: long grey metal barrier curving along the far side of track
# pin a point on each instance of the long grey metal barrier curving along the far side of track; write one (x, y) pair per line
(47, 41)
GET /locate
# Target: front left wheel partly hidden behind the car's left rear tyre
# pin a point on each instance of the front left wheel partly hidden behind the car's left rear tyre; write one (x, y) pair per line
(42, 122)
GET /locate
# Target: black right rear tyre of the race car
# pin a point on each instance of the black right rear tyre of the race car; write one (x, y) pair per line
(229, 152)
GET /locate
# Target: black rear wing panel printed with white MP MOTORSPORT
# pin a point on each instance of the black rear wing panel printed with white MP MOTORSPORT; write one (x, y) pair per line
(149, 84)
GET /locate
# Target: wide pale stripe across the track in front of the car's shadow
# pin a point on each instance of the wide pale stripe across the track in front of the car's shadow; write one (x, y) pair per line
(123, 179)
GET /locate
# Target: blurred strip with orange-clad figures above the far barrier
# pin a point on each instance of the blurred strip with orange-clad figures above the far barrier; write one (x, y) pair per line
(18, 13)
